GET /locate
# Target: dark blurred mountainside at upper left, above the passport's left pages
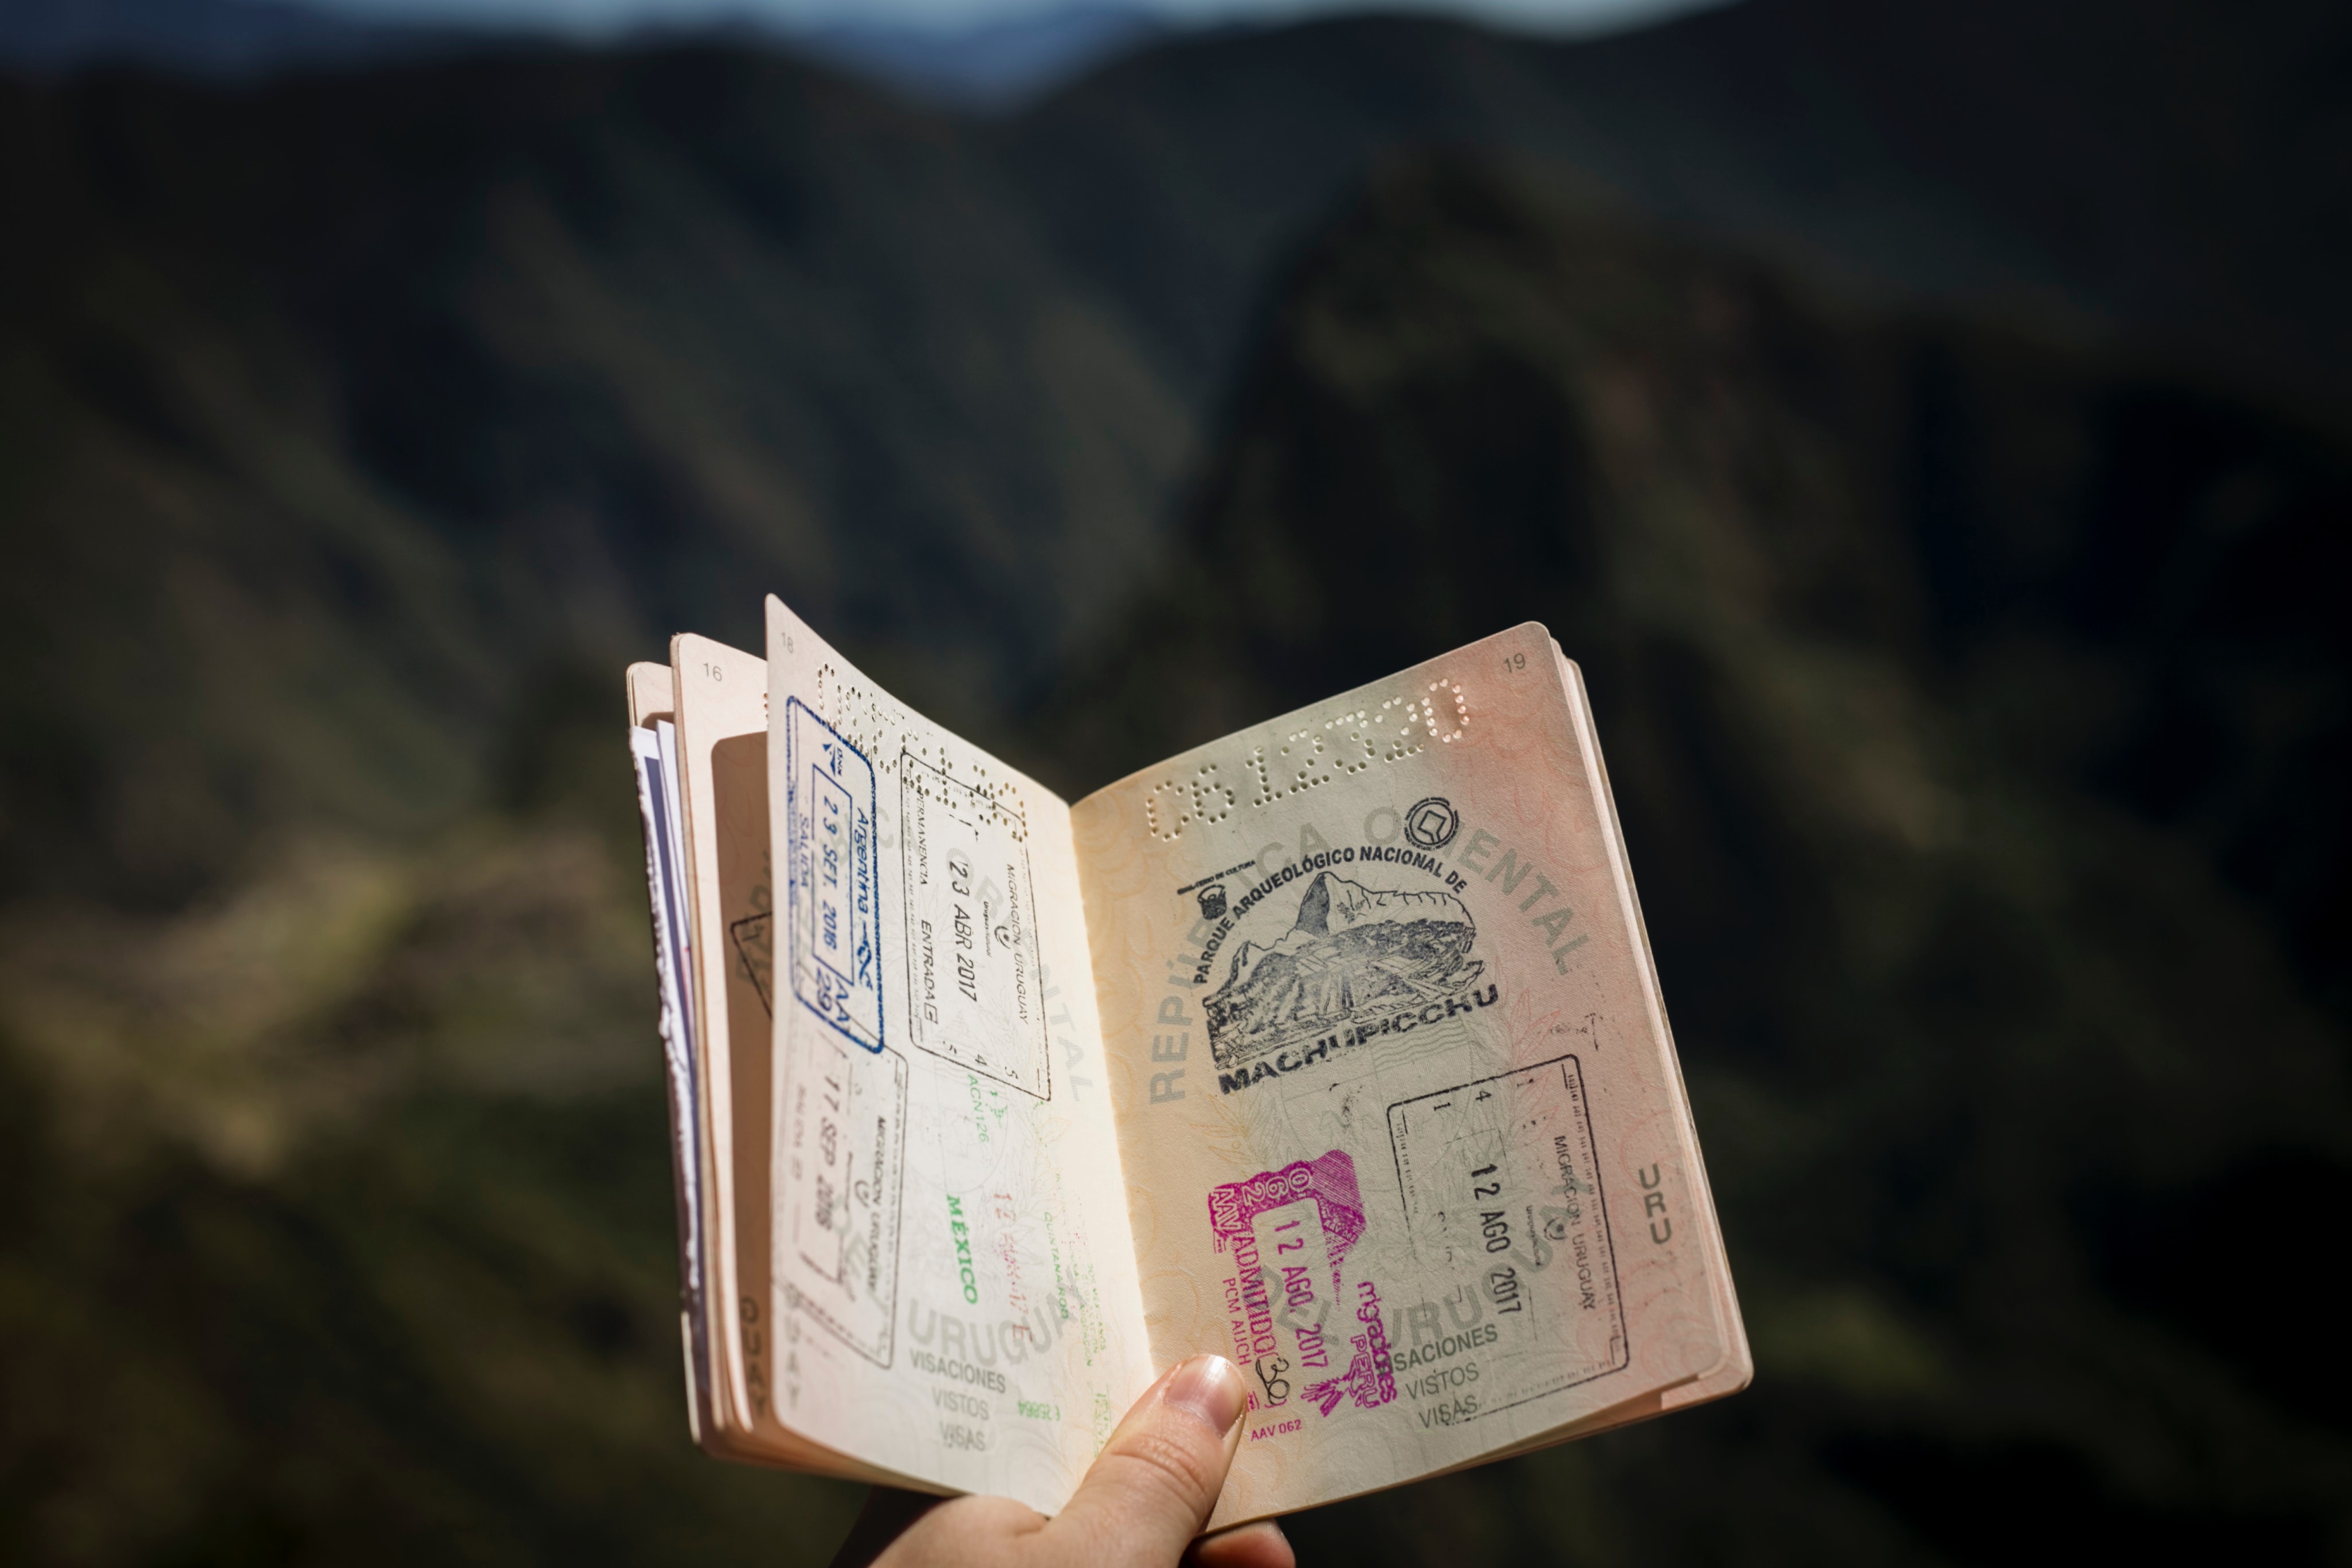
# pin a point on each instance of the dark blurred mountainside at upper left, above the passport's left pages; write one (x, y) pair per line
(356, 401)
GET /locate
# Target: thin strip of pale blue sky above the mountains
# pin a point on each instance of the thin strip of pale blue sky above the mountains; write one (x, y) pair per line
(603, 18)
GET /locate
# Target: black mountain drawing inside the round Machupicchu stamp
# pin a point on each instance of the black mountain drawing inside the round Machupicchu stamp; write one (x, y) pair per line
(1354, 953)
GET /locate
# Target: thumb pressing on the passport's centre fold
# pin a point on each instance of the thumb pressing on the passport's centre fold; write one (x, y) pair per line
(1156, 1482)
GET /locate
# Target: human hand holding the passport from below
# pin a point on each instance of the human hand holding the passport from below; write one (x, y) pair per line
(1140, 1508)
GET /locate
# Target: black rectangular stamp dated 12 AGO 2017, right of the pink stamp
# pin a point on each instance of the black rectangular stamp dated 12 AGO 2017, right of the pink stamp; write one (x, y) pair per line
(1504, 1207)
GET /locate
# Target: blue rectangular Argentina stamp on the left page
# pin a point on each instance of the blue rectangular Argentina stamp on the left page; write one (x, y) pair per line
(836, 885)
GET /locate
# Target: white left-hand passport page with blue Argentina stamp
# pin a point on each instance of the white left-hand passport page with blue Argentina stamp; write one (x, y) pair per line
(951, 1254)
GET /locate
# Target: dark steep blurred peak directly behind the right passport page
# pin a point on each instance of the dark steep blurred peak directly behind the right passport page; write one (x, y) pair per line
(1982, 737)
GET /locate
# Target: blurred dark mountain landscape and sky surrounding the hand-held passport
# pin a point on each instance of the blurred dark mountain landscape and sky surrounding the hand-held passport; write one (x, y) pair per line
(1927, 424)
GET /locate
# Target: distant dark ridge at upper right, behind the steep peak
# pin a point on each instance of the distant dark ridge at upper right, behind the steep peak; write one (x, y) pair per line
(2167, 170)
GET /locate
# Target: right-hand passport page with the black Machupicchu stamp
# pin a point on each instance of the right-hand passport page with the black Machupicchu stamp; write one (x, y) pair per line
(1401, 1111)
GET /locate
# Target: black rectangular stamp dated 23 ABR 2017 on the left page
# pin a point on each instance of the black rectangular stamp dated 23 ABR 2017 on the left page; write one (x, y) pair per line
(973, 979)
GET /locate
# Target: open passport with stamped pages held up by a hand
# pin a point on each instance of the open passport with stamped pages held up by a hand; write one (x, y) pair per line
(1332, 1047)
